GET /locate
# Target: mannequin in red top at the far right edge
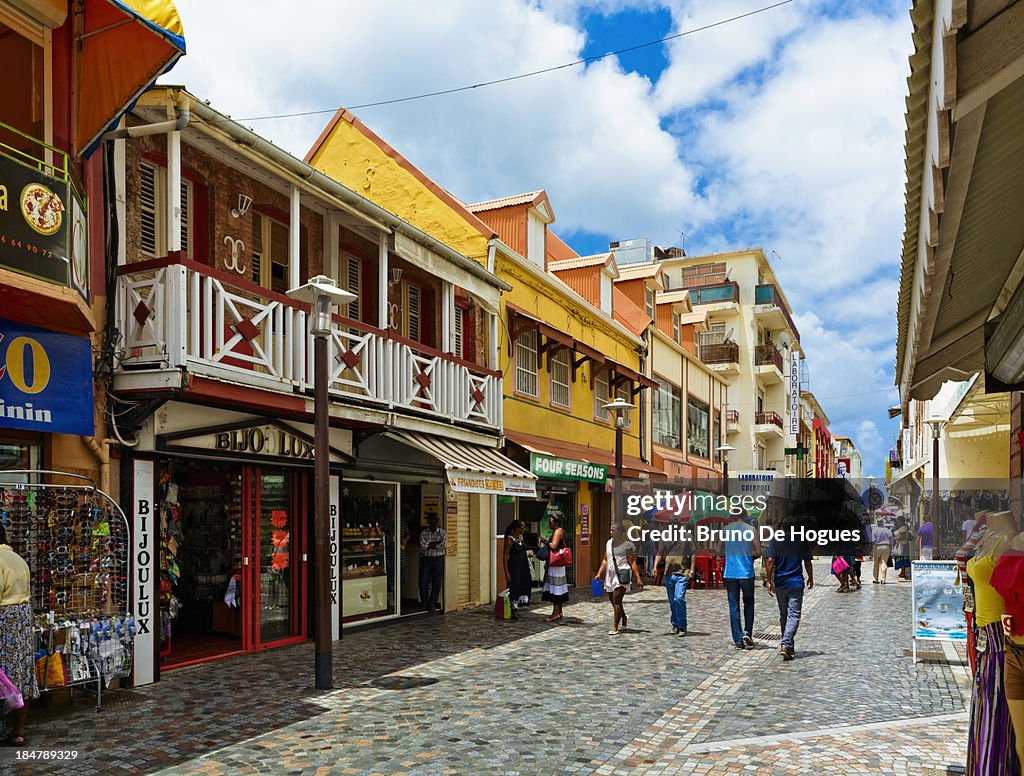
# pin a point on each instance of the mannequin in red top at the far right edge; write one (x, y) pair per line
(1009, 581)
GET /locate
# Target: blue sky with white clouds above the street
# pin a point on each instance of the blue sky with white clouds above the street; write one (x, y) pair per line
(782, 131)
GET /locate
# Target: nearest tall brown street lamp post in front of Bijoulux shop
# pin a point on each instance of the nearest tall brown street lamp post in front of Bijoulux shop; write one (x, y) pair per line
(322, 295)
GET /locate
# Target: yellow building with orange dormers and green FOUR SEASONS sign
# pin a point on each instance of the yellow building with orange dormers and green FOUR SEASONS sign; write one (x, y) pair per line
(563, 354)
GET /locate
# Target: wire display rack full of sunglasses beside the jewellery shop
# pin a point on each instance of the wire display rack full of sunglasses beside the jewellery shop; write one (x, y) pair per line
(76, 542)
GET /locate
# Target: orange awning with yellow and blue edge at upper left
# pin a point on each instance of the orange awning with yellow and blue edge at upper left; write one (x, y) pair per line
(126, 45)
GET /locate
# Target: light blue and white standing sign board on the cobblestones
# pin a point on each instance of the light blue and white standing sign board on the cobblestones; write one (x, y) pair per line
(938, 601)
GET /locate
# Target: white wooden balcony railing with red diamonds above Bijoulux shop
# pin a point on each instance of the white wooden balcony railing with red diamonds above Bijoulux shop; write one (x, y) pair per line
(185, 315)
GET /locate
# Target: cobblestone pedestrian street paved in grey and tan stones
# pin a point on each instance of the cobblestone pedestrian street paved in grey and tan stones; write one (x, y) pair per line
(463, 695)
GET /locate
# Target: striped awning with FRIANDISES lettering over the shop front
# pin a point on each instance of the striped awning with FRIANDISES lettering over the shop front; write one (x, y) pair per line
(471, 468)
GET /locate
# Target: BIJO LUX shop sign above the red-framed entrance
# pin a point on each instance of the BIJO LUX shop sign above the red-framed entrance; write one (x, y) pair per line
(274, 441)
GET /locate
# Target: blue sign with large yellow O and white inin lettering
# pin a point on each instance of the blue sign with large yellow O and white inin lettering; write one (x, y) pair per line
(46, 380)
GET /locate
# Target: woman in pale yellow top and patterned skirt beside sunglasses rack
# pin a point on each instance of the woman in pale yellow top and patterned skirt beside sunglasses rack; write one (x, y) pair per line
(16, 633)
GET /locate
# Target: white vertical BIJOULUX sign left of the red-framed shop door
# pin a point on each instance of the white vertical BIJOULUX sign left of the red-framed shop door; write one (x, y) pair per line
(144, 565)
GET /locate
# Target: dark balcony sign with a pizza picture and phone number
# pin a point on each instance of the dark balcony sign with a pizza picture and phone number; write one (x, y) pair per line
(42, 227)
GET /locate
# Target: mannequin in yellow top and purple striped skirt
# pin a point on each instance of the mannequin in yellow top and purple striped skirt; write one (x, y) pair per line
(992, 745)
